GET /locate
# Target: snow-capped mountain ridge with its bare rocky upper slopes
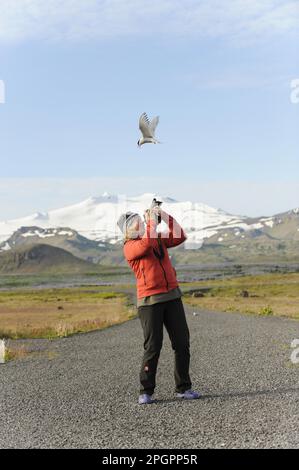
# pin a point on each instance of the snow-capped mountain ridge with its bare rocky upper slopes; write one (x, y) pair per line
(88, 228)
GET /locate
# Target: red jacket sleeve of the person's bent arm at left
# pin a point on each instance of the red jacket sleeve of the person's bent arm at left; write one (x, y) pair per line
(134, 249)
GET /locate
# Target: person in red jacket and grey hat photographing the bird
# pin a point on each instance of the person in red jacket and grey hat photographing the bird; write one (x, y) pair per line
(158, 297)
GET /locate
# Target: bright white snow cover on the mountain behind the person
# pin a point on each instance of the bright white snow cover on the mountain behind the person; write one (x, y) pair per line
(95, 218)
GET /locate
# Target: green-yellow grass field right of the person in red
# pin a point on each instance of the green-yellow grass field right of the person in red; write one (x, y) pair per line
(268, 294)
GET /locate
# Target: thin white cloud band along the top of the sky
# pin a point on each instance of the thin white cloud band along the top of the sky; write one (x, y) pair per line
(77, 20)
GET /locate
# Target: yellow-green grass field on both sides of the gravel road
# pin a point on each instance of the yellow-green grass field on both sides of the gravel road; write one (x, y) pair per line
(58, 312)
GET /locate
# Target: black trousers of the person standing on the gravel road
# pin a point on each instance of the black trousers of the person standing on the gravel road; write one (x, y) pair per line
(170, 313)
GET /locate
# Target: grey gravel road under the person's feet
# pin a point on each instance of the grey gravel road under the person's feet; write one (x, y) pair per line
(82, 391)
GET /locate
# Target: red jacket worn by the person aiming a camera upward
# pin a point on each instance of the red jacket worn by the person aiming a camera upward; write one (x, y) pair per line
(154, 275)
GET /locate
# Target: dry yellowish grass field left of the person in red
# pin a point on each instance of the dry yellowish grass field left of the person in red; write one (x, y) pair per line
(50, 313)
